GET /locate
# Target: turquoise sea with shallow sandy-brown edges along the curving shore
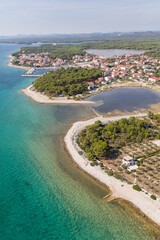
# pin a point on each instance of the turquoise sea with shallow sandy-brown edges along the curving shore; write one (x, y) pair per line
(43, 194)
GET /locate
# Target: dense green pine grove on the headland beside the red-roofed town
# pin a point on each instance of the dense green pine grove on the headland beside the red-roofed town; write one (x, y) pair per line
(68, 82)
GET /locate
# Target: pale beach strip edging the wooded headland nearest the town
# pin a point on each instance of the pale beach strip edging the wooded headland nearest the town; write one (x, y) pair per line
(41, 98)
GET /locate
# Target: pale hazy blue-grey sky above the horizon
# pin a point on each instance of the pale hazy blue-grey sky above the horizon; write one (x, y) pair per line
(72, 16)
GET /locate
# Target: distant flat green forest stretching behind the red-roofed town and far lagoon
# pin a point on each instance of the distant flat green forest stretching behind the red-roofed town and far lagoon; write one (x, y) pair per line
(67, 51)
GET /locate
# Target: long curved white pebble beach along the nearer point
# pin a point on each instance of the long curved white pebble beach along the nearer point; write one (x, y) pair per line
(151, 208)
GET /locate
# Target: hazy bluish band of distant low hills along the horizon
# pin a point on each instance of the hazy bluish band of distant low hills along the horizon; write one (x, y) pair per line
(82, 37)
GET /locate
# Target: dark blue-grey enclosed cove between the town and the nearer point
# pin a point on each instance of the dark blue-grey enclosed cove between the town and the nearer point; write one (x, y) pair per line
(125, 99)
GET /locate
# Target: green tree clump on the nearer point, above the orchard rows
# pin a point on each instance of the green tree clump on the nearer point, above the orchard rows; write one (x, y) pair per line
(98, 140)
